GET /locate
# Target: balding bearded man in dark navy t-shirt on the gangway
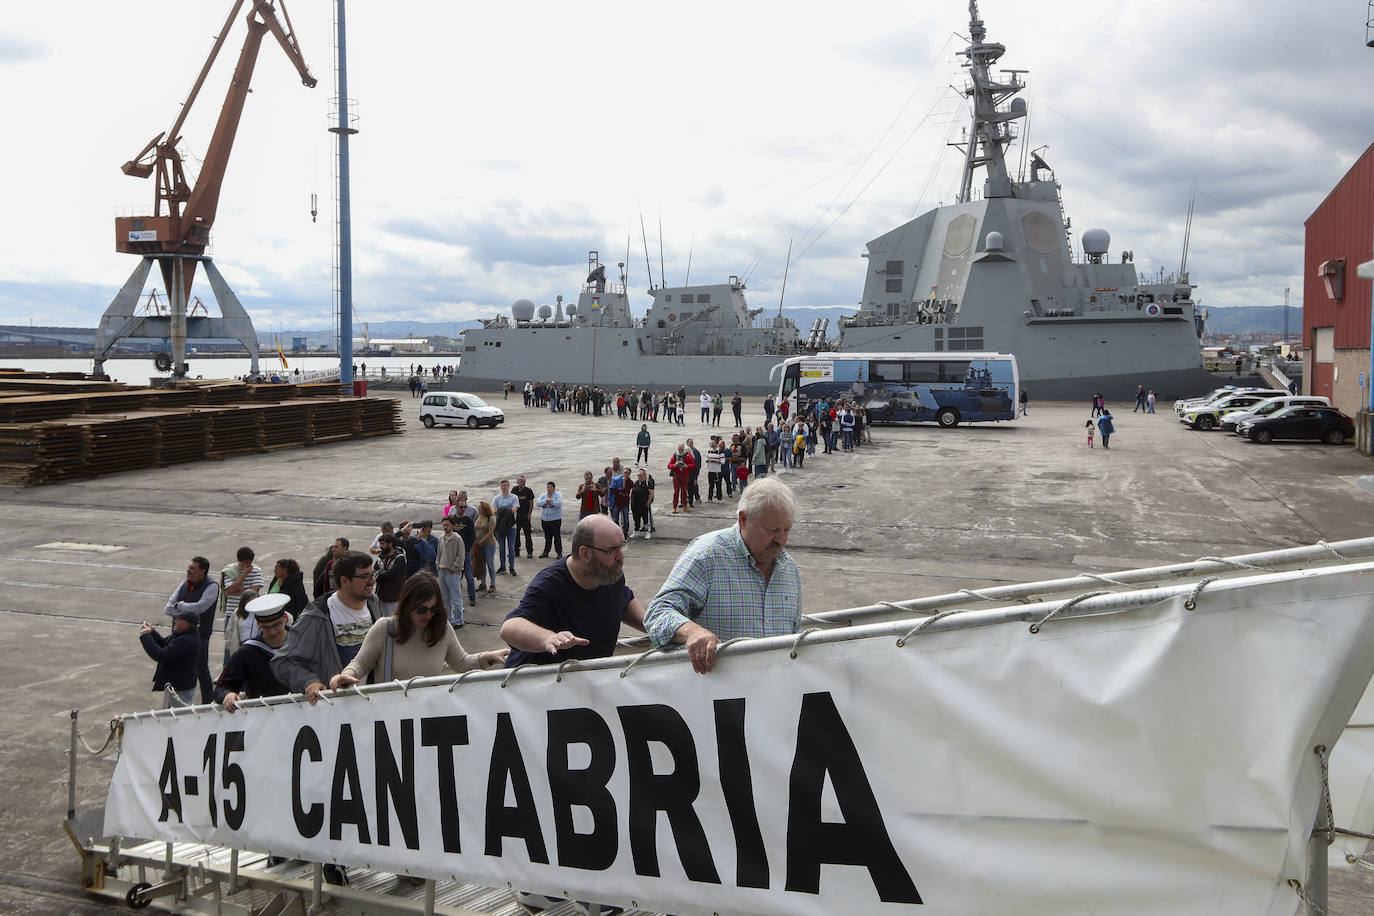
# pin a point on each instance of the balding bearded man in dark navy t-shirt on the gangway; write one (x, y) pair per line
(574, 609)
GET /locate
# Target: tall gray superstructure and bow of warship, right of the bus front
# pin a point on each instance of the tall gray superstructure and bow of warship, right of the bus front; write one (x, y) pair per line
(995, 271)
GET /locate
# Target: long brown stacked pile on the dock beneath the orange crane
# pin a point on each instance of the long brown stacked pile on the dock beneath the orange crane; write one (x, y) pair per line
(57, 429)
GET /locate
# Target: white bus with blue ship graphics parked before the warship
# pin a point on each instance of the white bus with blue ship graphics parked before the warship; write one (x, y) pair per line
(908, 388)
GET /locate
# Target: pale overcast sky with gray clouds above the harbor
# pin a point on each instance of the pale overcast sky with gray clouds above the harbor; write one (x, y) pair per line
(501, 142)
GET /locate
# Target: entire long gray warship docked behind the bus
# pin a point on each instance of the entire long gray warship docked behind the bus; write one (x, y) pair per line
(994, 271)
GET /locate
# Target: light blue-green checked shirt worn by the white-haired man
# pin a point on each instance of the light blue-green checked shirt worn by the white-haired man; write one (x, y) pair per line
(717, 583)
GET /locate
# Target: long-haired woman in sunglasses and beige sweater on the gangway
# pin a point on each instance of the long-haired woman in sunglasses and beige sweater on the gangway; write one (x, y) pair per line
(423, 641)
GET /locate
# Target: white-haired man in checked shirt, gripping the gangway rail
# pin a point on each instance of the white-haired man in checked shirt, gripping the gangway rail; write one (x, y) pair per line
(737, 582)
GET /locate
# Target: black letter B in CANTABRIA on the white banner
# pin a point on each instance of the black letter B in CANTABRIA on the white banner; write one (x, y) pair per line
(583, 789)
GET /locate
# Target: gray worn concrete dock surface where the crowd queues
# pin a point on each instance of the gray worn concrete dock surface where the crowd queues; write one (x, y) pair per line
(920, 512)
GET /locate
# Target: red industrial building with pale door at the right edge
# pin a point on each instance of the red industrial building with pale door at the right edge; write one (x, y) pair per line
(1336, 300)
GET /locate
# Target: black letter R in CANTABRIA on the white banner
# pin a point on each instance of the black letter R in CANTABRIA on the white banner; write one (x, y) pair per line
(670, 793)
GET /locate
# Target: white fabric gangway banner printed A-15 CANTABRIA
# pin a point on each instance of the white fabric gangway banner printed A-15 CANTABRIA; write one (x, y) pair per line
(1145, 762)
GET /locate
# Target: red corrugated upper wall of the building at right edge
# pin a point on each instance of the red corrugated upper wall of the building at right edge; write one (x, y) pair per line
(1342, 227)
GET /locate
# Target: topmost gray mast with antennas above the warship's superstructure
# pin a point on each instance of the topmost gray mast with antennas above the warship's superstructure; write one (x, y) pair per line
(991, 131)
